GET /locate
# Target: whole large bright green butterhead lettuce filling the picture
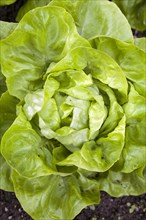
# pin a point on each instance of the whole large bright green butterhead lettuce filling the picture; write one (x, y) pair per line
(73, 118)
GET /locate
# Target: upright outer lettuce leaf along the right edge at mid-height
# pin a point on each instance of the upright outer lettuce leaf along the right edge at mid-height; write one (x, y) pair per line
(135, 144)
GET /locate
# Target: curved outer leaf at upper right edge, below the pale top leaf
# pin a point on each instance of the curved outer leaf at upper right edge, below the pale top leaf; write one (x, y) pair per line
(130, 58)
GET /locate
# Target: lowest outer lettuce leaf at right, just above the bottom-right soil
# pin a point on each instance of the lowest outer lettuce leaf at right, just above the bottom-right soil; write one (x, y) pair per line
(118, 184)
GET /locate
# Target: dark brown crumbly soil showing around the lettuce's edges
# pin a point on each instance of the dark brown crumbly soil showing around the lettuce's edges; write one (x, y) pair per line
(123, 208)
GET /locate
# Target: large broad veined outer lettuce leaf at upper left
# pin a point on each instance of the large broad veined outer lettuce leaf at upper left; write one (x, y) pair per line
(27, 53)
